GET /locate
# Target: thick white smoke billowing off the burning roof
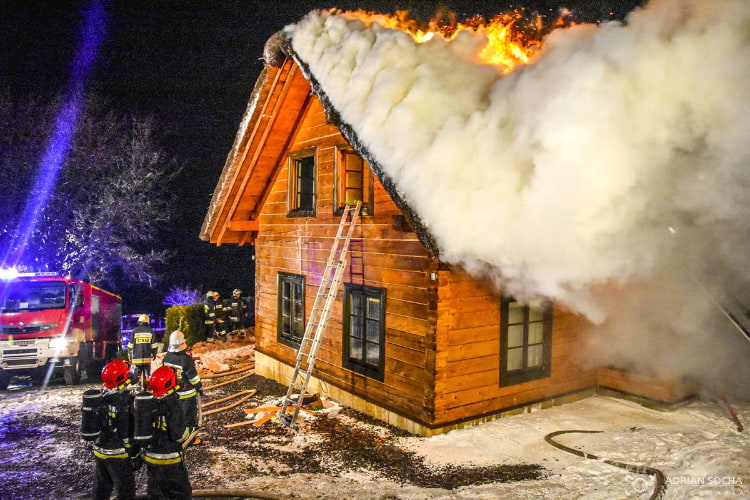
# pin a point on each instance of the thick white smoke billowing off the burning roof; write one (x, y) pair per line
(611, 175)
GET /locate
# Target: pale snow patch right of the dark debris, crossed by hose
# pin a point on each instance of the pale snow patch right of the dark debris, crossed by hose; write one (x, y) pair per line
(697, 447)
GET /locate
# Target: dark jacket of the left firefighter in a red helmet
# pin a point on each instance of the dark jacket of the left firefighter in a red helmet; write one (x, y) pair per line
(116, 414)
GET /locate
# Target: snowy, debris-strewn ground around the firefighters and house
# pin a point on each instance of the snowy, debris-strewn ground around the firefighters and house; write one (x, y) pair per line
(697, 447)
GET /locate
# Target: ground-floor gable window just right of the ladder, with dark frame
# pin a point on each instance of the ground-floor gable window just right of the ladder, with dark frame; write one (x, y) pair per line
(364, 330)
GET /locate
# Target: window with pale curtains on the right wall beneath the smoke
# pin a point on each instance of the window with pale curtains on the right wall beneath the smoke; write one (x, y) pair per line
(525, 342)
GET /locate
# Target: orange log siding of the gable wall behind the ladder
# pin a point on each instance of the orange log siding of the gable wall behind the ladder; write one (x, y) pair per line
(392, 259)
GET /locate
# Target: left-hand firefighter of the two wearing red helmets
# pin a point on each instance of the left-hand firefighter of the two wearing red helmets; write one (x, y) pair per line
(116, 455)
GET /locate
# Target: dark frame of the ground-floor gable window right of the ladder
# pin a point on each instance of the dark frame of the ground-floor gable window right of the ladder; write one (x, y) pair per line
(362, 365)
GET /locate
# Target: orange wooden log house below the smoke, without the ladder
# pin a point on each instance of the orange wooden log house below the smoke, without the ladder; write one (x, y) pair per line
(411, 341)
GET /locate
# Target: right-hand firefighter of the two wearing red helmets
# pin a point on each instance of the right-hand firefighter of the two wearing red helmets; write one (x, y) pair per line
(167, 475)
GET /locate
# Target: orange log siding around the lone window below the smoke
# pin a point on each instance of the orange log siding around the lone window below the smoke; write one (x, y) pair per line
(467, 379)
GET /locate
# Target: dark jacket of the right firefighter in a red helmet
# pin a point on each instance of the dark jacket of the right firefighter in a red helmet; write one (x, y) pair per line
(165, 447)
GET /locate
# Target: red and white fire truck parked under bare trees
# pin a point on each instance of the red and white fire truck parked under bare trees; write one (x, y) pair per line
(51, 325)
